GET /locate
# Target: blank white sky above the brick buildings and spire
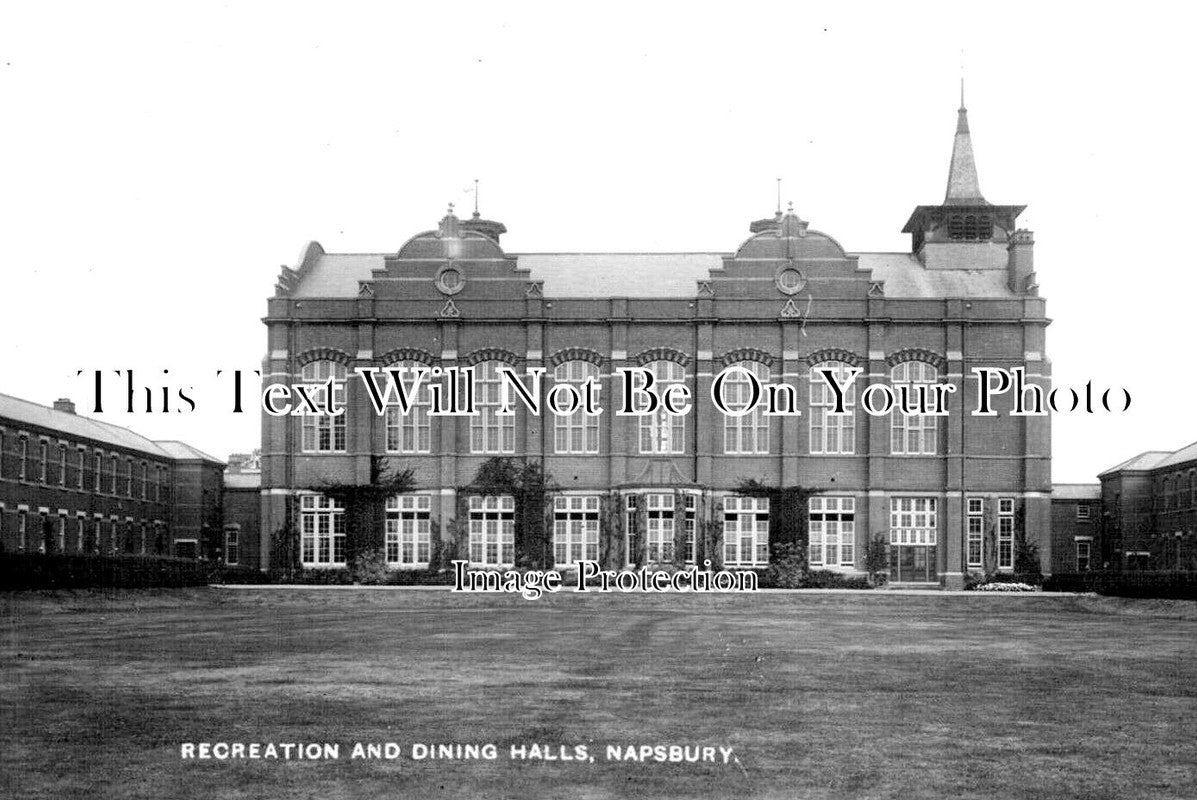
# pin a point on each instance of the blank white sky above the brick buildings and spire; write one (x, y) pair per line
(159, 162)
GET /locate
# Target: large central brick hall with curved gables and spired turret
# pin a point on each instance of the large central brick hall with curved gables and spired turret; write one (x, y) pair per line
(951, 495)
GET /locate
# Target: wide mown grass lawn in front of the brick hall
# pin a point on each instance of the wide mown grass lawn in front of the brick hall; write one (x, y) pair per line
(819, 695)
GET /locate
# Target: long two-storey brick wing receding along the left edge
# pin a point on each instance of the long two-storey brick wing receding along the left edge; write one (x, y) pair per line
(76, 484)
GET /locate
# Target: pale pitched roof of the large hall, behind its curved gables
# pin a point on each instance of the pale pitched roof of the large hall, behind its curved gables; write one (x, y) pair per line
(659, 275)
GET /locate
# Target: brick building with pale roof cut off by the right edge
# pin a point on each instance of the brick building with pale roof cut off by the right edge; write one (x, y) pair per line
(1150, 512)
